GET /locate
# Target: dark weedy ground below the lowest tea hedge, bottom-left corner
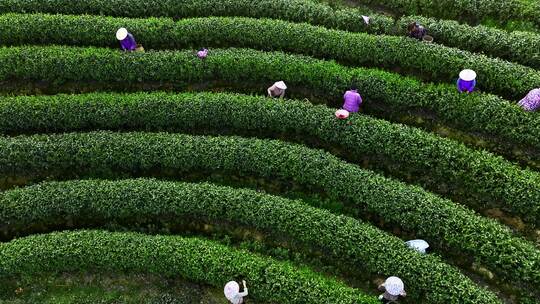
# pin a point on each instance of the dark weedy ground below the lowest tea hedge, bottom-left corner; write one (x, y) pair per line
(102, 287)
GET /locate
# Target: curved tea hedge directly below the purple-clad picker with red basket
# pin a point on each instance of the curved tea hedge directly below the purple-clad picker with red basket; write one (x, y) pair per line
(486, 178)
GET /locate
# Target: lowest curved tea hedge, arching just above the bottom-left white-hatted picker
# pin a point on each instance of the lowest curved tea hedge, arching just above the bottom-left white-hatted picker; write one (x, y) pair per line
(190, 258)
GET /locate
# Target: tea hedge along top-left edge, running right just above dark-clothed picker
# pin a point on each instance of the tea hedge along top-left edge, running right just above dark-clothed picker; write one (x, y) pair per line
(520, 47)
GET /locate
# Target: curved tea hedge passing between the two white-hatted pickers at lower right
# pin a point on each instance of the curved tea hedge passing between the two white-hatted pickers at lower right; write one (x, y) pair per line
(345, 239)
